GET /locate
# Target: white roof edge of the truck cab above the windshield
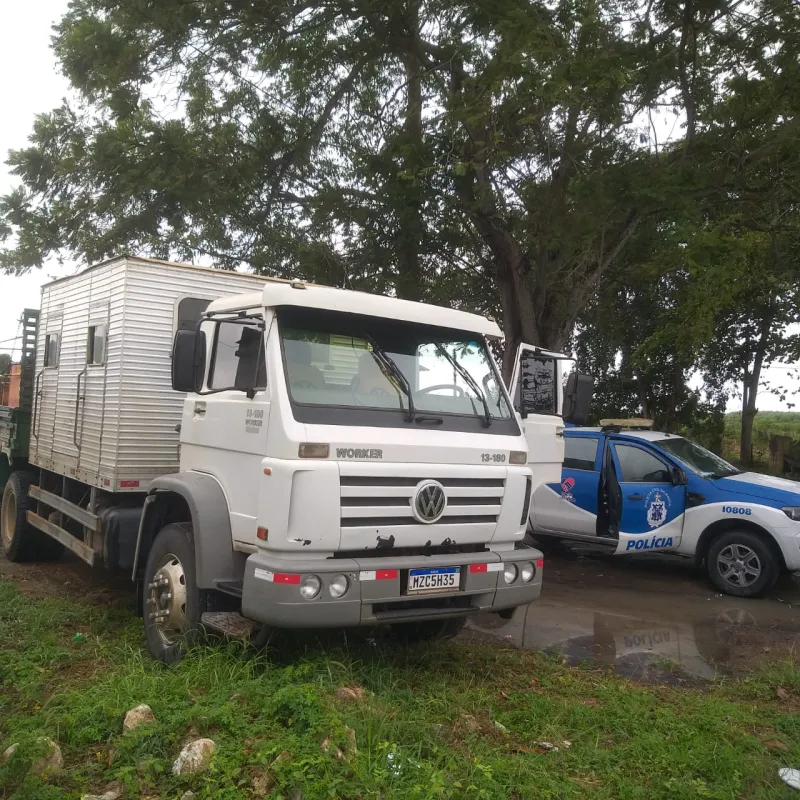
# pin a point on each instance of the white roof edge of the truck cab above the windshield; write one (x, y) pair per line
(307, 295)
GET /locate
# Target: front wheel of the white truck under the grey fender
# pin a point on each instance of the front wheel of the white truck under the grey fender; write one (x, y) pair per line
(172, 602)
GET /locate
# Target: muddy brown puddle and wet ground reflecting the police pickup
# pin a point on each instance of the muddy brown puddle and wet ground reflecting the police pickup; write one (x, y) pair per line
(654, 619)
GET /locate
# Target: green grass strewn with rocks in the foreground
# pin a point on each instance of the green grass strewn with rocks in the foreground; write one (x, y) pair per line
(413, 740)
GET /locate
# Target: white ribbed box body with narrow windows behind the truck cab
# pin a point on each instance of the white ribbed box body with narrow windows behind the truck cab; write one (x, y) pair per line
(105, 411)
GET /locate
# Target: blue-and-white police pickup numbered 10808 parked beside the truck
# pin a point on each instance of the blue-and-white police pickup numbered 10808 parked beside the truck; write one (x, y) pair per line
(639, 490)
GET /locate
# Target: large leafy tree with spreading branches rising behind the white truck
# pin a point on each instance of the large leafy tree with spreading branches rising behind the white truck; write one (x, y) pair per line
(492, 156)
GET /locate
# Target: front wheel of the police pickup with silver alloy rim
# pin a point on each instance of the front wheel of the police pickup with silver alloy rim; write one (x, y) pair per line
(742, 564)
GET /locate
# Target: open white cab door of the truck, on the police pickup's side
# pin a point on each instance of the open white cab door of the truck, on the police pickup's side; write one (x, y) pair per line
(537, 374)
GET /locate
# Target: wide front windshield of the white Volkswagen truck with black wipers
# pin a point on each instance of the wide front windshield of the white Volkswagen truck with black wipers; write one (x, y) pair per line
(389, 372)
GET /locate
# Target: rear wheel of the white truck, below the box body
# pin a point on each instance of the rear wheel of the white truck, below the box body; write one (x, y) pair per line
(21, 541)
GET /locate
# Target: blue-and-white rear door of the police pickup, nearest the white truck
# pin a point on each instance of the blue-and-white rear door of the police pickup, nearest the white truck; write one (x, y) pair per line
(571, 504)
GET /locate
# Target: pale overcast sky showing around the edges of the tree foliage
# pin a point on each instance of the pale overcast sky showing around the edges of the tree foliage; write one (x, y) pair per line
(34, 85)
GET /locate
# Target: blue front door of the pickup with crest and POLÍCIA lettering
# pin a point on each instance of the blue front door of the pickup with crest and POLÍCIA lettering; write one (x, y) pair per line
(652, 506)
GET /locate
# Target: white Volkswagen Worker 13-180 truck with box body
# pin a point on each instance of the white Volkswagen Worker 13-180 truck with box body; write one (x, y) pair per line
(344, 459)
